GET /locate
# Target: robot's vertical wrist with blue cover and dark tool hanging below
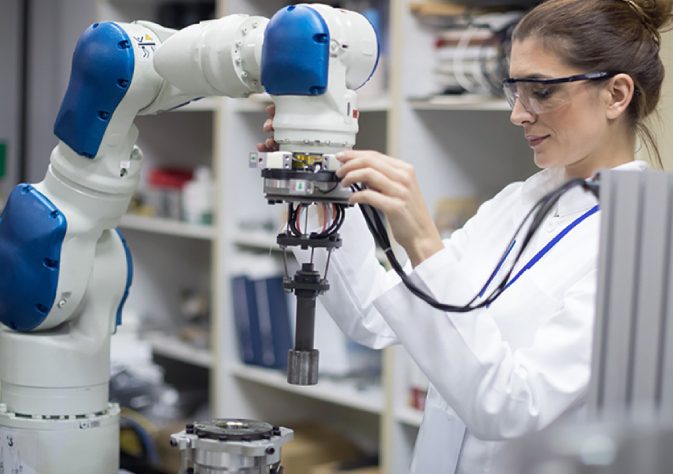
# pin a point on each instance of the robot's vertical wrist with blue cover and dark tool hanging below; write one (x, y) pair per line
(314, 57)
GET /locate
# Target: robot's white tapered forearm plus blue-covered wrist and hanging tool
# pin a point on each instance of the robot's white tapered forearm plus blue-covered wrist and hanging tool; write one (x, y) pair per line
(309, 59)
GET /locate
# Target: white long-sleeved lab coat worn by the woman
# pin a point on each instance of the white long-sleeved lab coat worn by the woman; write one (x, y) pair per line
(499, 372)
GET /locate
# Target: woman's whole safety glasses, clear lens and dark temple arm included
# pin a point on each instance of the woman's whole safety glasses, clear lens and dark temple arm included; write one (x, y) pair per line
(541, 96)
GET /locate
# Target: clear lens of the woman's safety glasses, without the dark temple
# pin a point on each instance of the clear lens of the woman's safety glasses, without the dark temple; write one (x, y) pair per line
(537, 97)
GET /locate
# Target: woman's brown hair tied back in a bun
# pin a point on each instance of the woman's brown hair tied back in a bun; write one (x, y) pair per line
(608, 35)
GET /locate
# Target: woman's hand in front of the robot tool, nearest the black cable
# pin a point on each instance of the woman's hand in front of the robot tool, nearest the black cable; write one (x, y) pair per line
(393, 188)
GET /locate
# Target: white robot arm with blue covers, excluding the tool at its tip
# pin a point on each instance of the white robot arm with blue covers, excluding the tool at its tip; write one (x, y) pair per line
(66, 271)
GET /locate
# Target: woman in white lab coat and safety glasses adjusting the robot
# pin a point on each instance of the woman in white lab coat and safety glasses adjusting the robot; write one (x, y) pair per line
(584, 75)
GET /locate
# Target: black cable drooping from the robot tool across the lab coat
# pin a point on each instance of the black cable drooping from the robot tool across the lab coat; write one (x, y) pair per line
(375, 223)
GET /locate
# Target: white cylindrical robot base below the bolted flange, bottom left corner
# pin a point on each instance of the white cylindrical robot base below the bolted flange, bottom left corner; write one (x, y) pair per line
(72, 444)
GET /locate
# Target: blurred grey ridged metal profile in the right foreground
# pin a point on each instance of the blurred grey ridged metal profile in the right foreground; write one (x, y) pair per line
(632, 369)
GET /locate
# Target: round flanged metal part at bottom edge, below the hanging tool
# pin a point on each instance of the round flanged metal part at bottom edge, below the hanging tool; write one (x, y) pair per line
(231, 446)
